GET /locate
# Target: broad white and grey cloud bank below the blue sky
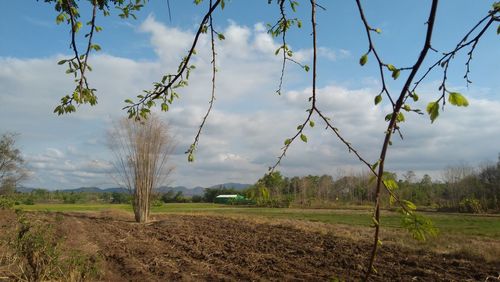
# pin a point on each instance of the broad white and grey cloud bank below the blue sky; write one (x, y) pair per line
(246, 129)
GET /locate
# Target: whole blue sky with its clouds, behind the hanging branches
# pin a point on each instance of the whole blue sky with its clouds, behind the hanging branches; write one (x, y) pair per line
(245, 132)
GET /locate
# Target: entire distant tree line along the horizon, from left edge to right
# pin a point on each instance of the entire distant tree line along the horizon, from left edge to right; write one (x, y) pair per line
(461, 188)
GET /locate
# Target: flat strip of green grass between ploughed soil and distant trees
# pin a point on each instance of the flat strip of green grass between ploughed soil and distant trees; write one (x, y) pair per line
(456, 224)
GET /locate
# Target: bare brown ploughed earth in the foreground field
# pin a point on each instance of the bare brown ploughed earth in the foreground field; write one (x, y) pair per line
(214, 248)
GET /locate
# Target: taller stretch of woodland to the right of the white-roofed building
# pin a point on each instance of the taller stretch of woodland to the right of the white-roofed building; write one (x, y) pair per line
(462, 189)
